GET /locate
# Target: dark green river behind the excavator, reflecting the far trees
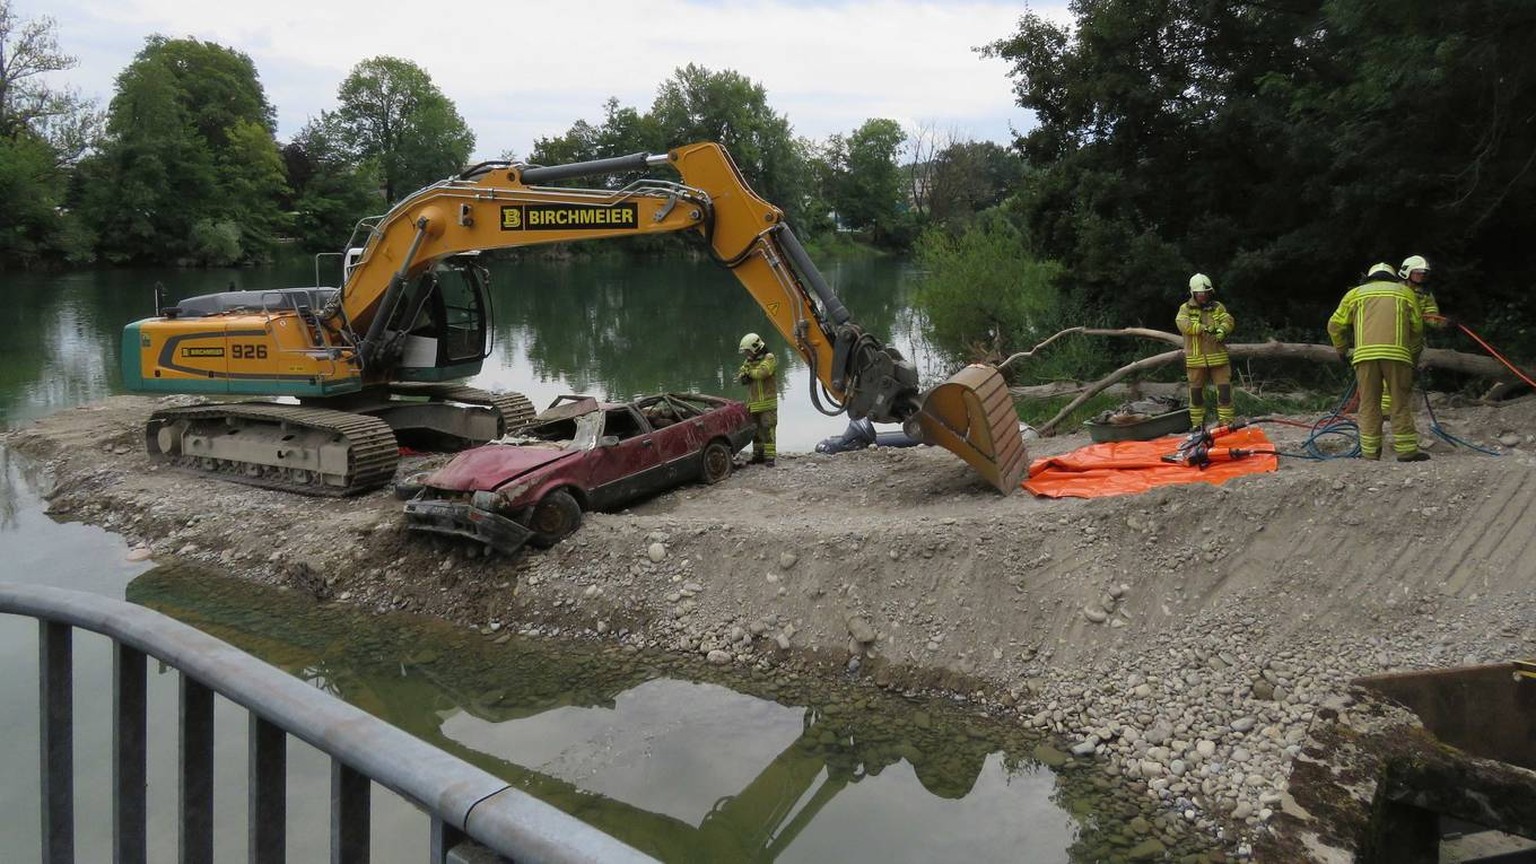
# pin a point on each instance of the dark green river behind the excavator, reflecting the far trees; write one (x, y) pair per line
(611, 327)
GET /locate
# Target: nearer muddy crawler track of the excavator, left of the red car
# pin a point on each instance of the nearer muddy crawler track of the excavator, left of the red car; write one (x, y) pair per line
(311, 451)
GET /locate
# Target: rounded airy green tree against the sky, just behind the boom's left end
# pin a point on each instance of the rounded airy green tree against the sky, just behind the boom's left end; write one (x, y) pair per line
(392, 115)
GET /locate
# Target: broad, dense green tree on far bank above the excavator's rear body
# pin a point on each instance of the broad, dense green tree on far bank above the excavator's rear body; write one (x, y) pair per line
(190, 170)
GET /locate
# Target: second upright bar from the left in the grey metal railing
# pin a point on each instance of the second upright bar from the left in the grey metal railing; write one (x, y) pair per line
(130, 756)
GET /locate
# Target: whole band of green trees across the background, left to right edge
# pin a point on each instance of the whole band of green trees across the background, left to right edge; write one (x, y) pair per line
(1279, 147)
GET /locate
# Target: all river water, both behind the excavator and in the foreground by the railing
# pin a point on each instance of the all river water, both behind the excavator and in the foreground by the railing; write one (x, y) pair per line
(683, 763)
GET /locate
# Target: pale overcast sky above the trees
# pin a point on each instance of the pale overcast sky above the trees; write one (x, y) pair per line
(525, 70)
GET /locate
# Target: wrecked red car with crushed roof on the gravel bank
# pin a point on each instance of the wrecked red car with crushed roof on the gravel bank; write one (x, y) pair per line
(581, 454)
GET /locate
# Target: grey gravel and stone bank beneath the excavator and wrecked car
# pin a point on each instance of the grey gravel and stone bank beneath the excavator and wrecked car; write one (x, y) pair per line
(1188, 637)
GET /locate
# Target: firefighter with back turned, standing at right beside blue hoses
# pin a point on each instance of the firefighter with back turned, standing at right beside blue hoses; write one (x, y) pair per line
(1383, 321)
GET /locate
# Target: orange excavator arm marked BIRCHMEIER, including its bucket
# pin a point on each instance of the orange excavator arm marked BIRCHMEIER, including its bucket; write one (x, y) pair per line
(509, 205)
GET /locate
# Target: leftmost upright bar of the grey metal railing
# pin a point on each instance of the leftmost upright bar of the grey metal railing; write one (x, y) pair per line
(56, 702)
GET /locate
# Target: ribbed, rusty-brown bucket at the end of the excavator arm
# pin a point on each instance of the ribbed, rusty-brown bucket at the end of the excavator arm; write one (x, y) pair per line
(973, 417)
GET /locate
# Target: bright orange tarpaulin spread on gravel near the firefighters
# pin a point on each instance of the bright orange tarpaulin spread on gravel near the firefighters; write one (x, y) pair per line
(1127, 468)
